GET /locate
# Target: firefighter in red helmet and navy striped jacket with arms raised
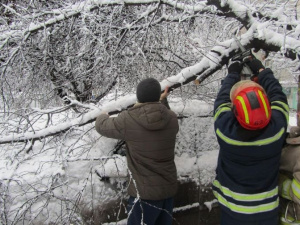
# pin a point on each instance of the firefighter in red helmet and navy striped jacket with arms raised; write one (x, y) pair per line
(251, 119)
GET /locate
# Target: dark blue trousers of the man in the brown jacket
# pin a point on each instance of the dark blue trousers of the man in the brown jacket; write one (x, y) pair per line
(149, 212)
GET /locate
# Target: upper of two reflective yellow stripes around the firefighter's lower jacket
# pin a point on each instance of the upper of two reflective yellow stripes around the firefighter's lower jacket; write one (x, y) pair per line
(246, 197)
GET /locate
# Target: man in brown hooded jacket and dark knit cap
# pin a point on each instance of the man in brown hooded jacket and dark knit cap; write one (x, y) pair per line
(149, 129)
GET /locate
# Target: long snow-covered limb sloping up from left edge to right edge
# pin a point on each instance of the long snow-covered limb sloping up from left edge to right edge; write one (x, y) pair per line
(209, 64)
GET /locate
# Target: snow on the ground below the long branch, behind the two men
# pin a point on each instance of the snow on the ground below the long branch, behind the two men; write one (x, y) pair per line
(65, 172)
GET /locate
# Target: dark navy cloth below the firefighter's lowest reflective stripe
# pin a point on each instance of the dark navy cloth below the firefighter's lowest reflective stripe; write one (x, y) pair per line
(228, 220)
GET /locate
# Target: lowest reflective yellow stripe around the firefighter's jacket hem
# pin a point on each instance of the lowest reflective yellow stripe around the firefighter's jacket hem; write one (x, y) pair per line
(246, 209)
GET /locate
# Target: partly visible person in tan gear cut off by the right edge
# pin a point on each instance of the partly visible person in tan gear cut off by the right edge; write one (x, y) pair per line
(289, 183)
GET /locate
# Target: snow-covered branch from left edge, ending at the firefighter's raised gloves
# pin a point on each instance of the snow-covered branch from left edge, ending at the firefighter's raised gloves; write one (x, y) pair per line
(208, 65)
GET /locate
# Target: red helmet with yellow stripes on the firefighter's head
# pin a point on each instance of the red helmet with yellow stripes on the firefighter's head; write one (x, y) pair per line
(250, 105)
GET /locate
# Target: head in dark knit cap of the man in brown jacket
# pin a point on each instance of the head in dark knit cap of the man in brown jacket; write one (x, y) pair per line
(148, 90)
